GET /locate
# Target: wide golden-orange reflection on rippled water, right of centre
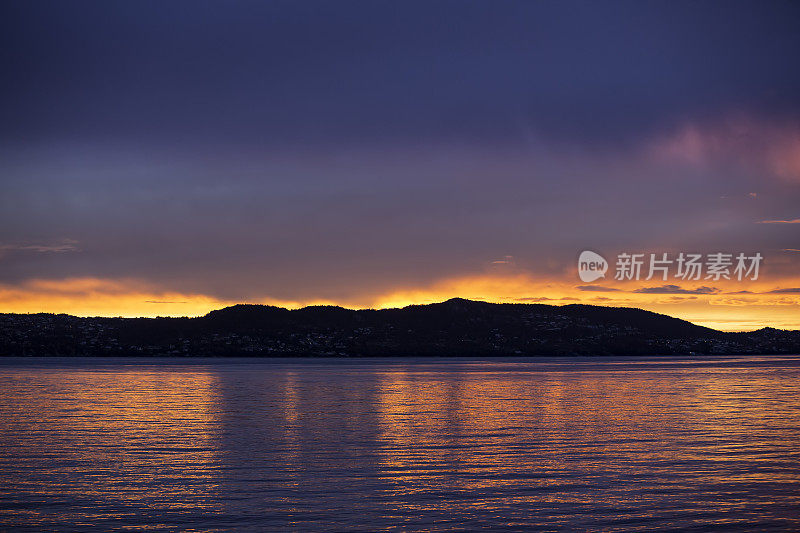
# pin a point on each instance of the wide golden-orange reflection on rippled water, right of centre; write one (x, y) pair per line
(516, 439)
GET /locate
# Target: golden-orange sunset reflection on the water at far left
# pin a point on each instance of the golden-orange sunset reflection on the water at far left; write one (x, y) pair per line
(134, 440)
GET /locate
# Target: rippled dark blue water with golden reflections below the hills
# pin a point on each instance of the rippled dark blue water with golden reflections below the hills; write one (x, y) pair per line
(535, 444)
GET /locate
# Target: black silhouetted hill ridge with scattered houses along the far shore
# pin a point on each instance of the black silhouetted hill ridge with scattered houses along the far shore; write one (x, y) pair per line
(456, 327)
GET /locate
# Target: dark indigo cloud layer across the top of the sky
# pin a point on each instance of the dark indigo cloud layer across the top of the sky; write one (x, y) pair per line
(320, 72)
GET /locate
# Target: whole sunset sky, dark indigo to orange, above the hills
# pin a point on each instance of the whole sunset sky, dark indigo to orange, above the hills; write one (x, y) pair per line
(169, 158)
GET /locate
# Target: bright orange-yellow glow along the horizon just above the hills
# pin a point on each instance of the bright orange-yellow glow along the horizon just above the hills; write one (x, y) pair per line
(723, 310)
